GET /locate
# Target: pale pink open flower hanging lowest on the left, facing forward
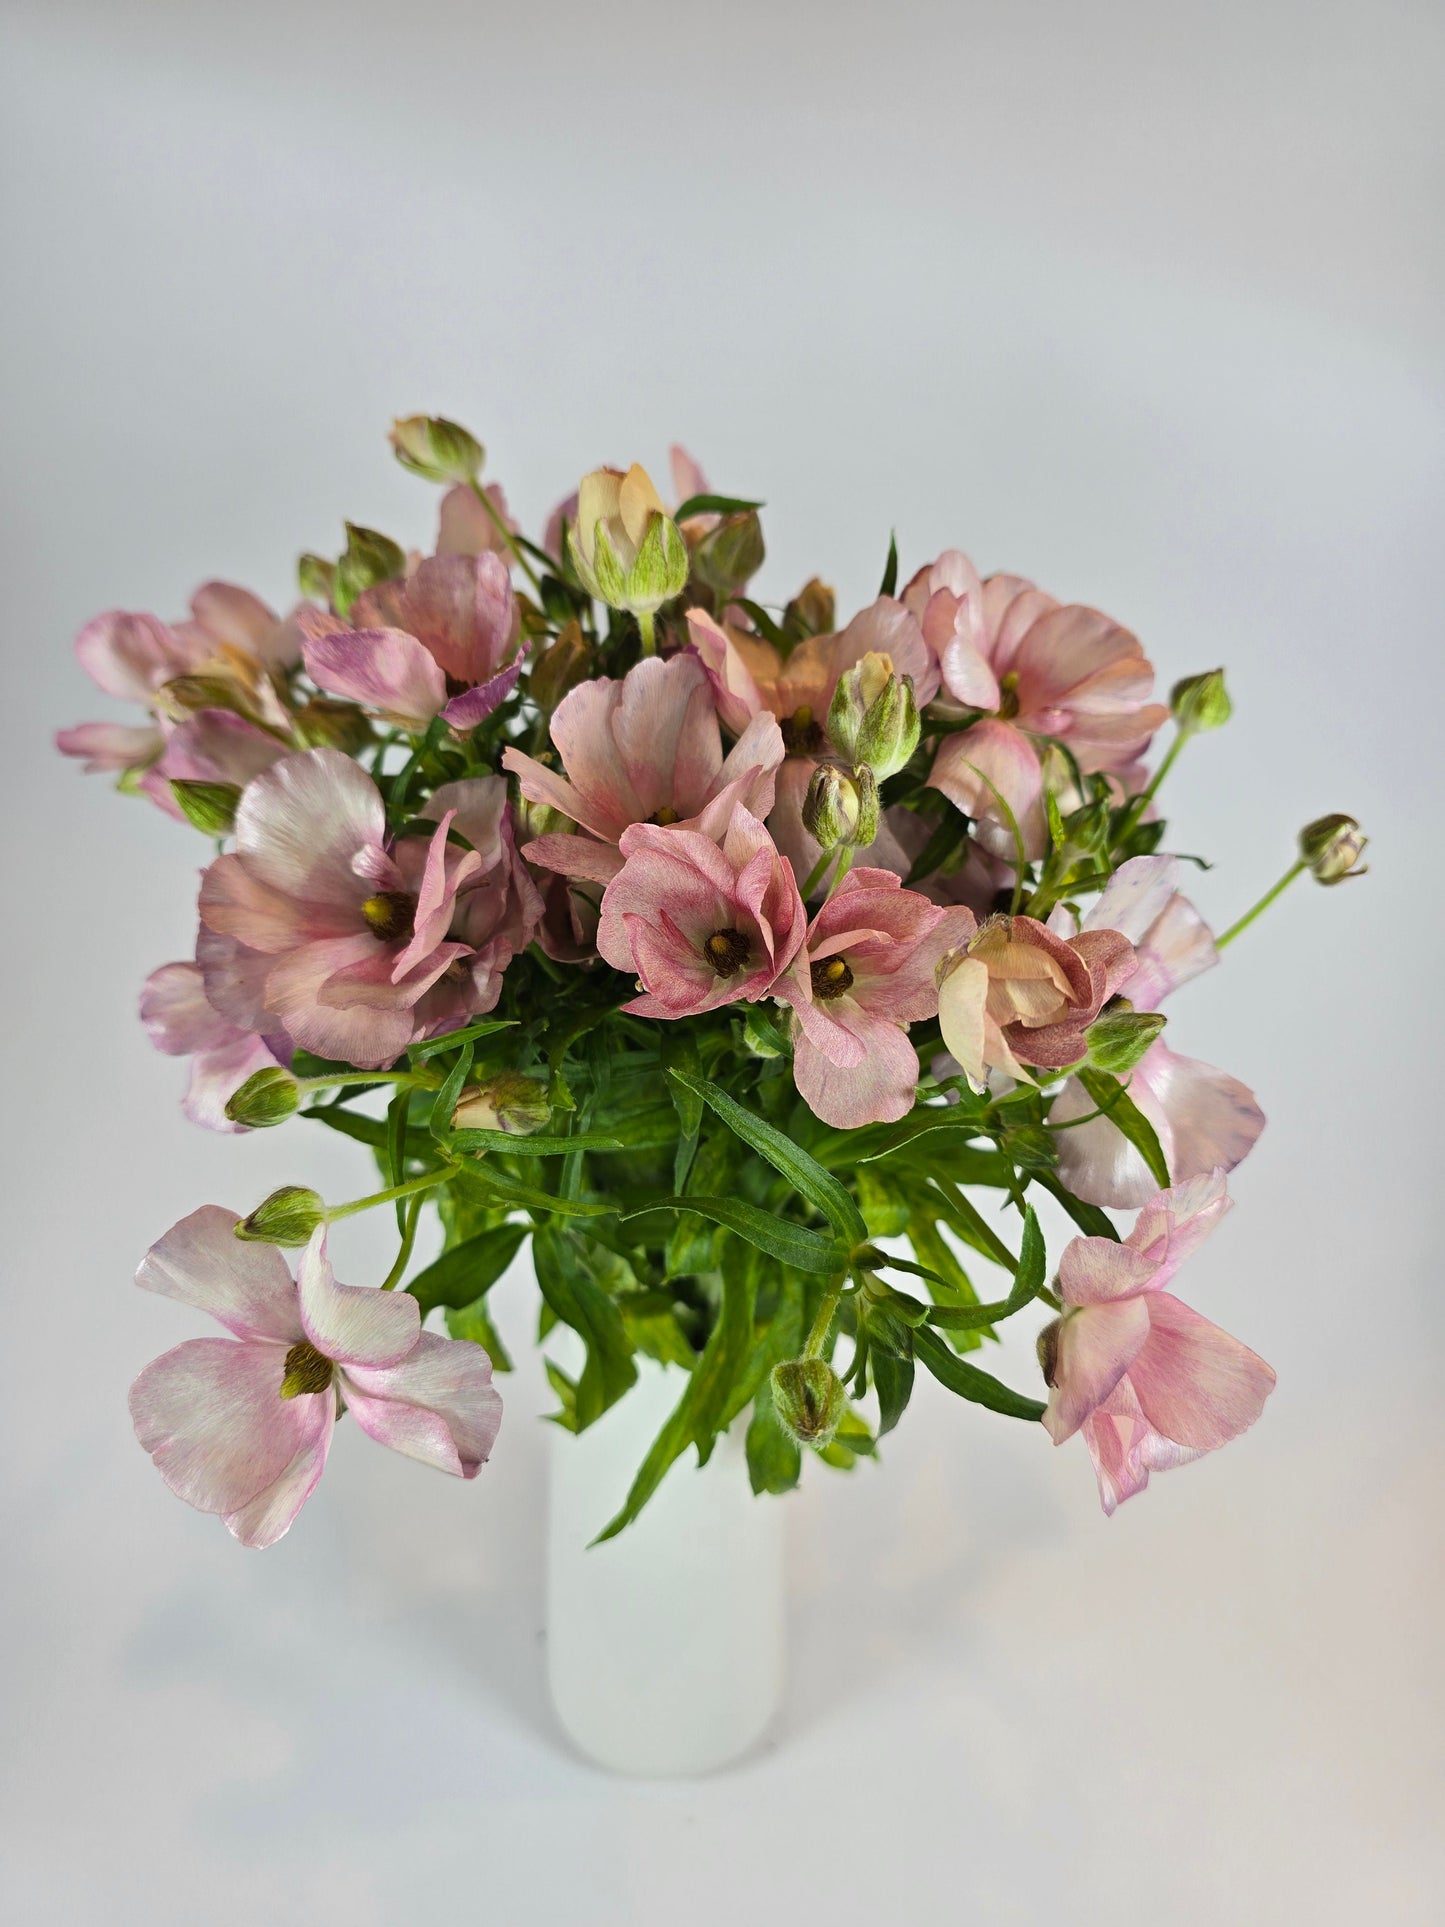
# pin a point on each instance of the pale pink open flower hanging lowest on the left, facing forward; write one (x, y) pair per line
(242, 1425)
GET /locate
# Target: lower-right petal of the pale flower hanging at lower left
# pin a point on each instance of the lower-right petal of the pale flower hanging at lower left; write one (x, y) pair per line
(438, 1406)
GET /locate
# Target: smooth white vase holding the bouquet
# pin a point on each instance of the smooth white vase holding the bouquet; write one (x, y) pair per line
(666, 1647)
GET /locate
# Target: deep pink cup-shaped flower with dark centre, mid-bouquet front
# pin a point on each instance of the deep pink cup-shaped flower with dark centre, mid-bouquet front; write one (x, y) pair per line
(700, 922)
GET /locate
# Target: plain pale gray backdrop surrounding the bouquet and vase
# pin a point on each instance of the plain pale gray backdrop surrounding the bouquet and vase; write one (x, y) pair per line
(1143, 302)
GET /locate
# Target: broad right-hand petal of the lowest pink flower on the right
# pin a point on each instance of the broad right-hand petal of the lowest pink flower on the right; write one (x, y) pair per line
(1197, 1385)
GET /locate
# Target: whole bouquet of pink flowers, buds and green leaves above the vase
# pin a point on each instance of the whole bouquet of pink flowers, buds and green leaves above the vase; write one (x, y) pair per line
(729, 955)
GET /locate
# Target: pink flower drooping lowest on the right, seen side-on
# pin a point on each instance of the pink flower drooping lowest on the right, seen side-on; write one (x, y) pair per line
(1147, 1381)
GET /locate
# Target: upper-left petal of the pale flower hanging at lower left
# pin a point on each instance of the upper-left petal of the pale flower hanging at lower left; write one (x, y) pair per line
(244, 1286)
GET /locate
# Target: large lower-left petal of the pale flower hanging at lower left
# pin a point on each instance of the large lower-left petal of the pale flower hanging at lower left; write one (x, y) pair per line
(213, 1417)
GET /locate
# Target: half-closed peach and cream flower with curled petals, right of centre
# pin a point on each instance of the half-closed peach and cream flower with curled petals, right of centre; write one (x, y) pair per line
(1020, 995)
